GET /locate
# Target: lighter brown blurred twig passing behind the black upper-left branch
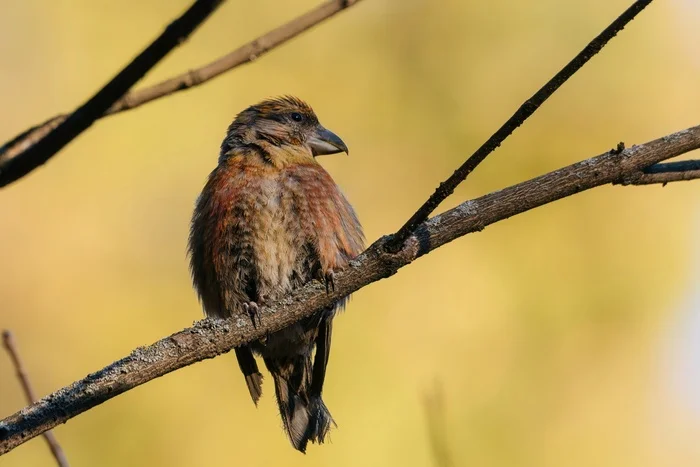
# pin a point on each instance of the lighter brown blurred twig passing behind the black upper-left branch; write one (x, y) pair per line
(242, 55)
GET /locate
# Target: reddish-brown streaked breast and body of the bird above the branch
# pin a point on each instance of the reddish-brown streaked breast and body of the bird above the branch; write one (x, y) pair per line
(273, 230)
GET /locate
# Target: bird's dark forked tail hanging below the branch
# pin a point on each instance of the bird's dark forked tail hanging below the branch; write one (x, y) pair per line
(304, 415)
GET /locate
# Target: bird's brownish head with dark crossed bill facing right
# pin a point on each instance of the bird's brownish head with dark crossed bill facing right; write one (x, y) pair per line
(280, 126)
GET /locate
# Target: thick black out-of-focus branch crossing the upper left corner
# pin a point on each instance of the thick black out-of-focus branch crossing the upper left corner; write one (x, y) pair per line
(69, 128)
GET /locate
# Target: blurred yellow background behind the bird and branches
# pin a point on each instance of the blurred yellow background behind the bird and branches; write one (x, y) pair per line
(567, 335)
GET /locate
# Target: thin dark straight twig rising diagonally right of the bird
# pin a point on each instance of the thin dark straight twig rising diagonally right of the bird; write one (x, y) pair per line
(447, 187)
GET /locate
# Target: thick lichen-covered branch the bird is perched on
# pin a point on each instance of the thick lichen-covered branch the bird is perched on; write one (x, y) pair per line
(209, 338)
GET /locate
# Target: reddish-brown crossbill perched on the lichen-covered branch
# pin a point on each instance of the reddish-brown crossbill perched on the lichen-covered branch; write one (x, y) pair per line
(269, 220)
